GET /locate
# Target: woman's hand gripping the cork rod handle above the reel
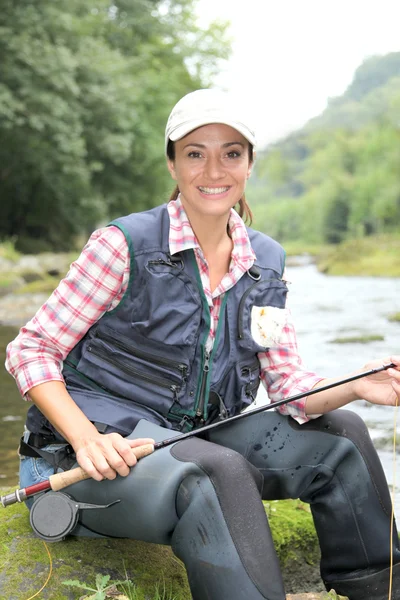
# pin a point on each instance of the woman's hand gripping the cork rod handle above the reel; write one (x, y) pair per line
(104, 456)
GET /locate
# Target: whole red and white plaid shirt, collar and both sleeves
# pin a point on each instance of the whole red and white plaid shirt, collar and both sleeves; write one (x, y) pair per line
(95, 284)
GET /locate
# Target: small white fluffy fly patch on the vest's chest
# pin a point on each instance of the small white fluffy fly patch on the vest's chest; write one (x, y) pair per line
(267, 323)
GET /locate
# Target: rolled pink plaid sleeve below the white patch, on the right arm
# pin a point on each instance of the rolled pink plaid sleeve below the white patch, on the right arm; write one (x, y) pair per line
(283, 374)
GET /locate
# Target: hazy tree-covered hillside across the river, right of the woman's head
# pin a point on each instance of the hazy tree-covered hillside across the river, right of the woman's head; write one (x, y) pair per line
(337, 178)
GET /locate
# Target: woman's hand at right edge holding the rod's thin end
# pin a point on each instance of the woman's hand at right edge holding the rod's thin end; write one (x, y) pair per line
(383, 387)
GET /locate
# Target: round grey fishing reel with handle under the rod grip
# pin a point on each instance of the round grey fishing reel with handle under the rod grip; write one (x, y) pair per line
(55, 514)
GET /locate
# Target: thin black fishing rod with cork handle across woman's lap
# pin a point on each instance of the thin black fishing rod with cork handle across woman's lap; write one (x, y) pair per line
(61, 480)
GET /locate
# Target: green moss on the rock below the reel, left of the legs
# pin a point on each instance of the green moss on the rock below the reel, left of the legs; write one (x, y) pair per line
(78, 558)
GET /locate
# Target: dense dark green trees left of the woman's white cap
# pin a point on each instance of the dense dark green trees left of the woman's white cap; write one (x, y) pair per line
(84, 95)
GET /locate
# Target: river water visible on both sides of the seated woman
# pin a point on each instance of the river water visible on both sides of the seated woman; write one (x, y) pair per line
(324, 308)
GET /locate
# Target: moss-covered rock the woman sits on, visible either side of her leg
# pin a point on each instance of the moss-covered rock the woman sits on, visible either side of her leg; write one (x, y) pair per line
(26, 562)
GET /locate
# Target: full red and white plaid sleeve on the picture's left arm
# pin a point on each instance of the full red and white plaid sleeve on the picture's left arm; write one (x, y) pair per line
(94, 284)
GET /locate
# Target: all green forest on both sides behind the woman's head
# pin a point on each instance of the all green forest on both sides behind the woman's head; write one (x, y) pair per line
(86, 88)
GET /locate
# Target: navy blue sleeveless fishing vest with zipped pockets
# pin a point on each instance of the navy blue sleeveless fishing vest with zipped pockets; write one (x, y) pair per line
(147, 358)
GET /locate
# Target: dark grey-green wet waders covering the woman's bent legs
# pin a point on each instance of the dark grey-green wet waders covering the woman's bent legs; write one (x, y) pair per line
(203, 498)
